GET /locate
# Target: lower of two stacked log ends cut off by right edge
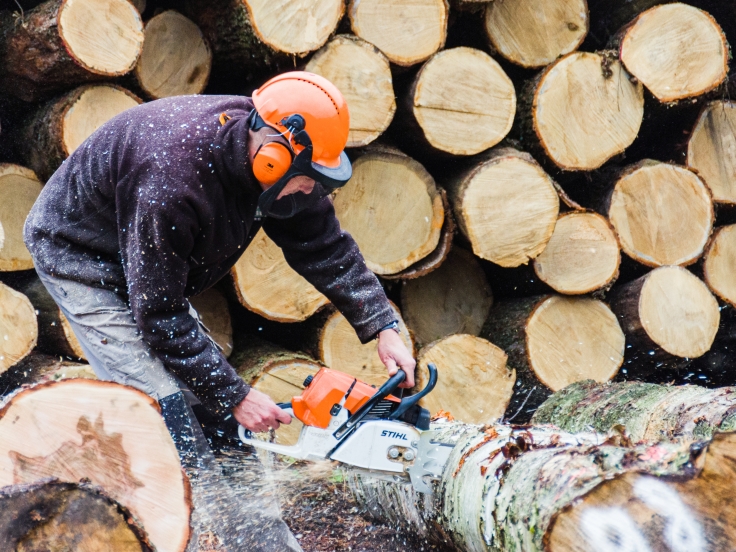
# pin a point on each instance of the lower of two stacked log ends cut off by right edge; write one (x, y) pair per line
(719, 262)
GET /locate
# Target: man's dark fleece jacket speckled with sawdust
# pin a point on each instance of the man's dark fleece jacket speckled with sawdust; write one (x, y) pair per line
(158, 204)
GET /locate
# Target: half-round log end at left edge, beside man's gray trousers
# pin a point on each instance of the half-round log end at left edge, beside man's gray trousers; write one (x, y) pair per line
(18, 327)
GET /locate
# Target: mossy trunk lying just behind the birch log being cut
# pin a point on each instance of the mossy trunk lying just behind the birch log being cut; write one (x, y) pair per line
(647, 411)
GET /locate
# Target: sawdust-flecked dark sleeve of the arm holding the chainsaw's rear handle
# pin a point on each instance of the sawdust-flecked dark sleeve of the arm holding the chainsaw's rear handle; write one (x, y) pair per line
(157, 229)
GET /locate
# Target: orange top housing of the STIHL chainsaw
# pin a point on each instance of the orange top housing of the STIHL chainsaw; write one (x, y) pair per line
(327, 389)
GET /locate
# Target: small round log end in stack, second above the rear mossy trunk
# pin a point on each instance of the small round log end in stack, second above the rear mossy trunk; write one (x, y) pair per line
(581, 256)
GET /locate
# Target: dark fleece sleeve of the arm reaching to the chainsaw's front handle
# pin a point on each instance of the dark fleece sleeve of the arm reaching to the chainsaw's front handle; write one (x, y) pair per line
(316, 247)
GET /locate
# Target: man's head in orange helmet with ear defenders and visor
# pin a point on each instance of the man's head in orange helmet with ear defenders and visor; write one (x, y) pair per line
(298, 132)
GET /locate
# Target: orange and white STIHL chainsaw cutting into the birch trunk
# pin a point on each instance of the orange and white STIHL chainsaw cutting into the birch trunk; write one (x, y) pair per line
(351, 422)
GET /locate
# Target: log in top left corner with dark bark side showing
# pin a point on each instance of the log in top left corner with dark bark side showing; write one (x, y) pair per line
(62, 43)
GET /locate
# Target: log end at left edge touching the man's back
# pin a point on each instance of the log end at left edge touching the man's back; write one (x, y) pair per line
(20, 187)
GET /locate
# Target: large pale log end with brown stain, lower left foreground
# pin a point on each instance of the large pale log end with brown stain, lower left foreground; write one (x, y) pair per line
(107, 434)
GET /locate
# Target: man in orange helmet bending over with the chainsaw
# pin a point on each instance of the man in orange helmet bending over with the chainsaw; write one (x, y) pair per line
(158, 204)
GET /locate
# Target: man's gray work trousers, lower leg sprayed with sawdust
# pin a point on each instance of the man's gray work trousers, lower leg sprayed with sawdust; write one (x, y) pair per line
(104, 326)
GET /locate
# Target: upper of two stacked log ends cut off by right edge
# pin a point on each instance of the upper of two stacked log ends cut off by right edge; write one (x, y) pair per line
(711, 150)
